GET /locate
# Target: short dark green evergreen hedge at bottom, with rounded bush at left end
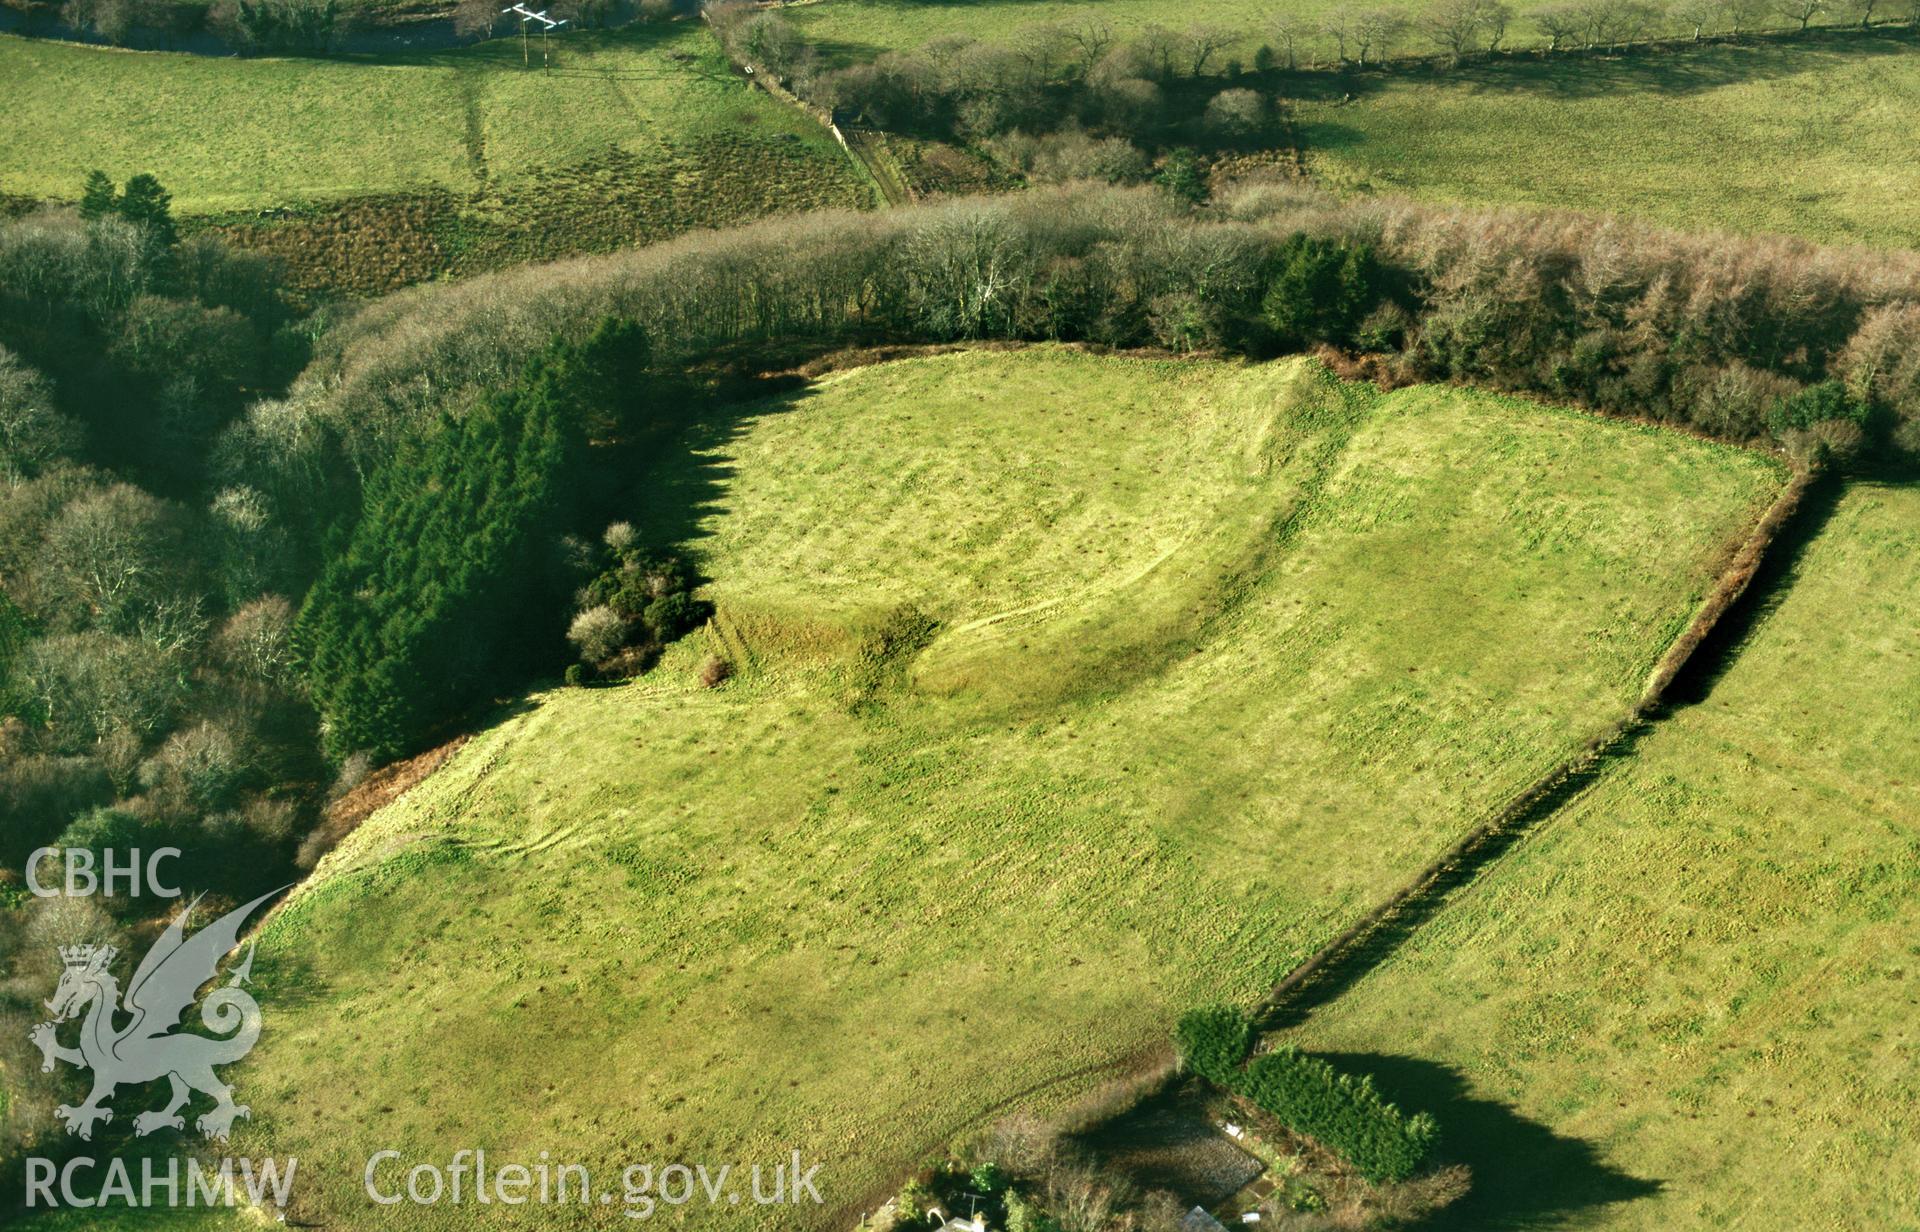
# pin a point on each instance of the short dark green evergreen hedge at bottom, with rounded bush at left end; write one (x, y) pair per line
(1308, 1097)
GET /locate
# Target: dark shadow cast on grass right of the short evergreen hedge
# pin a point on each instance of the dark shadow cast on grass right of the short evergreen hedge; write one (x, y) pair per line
(1524, 1173)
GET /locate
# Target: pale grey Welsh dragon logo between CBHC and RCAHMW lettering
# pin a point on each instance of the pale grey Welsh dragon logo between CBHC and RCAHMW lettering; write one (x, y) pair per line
(145, 1047)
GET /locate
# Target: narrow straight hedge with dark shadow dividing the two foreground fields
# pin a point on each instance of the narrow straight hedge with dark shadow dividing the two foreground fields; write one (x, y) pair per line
(1343, 960)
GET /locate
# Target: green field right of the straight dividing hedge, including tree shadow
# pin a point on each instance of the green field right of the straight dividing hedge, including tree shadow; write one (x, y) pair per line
(1706, 968)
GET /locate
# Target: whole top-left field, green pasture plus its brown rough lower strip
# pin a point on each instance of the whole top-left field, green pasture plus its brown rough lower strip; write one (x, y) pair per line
(373, 174)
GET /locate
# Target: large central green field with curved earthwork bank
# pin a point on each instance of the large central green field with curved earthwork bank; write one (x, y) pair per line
(1072, 692)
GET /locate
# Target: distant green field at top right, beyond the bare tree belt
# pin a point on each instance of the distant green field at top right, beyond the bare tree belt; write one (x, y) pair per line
(1810, 139)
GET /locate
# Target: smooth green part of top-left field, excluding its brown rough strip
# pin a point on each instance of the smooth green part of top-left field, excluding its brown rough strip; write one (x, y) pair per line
(256, 133)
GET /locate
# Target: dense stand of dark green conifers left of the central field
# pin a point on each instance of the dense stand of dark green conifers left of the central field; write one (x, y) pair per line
(448, 586)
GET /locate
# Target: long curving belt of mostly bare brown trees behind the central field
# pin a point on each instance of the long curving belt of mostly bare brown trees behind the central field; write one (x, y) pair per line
(1714, 333)
